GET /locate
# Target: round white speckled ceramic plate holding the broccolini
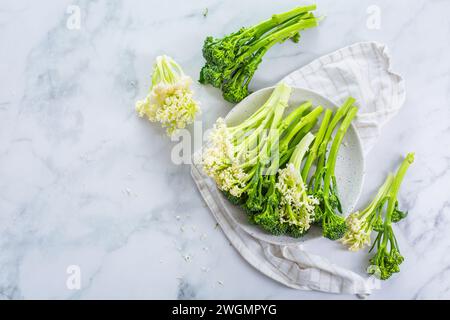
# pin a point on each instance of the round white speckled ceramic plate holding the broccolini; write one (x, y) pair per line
(349, 164)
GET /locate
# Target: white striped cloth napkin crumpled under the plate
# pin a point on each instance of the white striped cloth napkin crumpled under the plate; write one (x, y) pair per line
(363, 71)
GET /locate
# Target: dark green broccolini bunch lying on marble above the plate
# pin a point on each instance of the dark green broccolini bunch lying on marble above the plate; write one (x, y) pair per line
(231, 61)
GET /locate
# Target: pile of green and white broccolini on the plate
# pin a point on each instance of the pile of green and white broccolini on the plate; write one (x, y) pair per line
(261, 165)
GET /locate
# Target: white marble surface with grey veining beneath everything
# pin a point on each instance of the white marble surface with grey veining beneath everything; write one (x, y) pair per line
(84, 181)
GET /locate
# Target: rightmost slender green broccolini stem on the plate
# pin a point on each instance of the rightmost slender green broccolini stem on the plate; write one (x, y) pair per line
(331, 163)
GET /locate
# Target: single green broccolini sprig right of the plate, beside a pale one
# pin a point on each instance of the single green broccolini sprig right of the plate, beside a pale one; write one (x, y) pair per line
(388, 258)
